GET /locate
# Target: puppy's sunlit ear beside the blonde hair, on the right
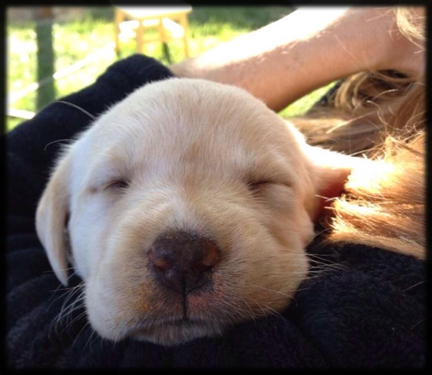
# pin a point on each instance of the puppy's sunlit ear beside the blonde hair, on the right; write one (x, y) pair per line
(330, 171)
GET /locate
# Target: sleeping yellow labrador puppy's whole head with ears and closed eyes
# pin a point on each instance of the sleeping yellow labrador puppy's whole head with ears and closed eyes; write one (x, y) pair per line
(186, 208)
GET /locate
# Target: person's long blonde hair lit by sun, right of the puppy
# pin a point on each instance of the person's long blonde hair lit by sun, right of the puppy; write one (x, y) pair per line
(382, 116)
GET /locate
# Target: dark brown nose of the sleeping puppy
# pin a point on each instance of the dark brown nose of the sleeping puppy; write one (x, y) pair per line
(183, 261)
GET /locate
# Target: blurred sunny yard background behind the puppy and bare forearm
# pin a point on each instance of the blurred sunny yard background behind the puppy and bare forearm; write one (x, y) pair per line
(54, 51)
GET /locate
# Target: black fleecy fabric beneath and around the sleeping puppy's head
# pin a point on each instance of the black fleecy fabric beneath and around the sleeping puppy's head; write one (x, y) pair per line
(365, 309)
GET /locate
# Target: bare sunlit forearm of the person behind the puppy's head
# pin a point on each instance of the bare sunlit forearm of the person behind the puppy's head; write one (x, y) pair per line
(301, 52)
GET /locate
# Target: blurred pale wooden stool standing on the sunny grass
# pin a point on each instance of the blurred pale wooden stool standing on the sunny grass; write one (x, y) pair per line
(146, 17)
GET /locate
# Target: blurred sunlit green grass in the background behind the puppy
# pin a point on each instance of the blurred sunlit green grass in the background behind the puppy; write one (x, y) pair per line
(75, 40)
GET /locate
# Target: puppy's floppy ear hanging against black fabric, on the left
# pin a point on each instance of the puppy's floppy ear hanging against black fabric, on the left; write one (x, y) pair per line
(51, 217)
